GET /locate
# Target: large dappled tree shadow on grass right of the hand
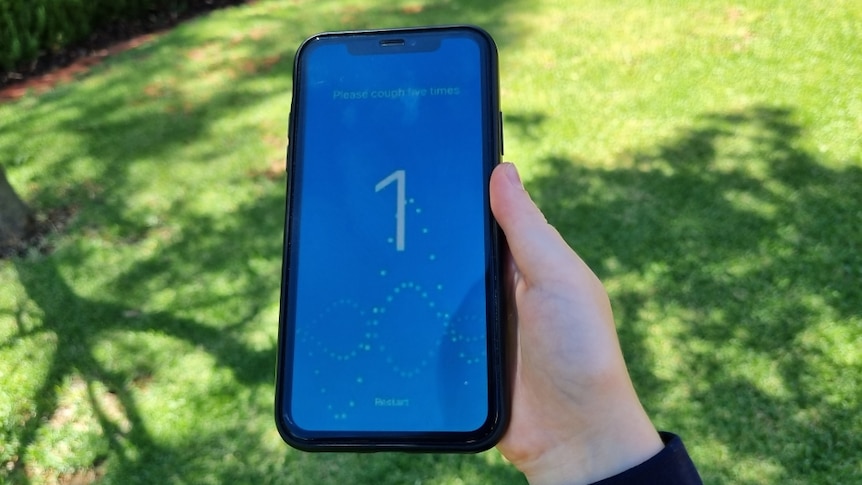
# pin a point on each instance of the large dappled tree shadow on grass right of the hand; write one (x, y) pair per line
(741, 250)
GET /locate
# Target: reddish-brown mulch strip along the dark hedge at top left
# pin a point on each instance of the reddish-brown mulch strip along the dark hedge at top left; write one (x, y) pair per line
(65, 64)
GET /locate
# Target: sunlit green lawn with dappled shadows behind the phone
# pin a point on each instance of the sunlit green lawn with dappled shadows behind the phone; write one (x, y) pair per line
(704, 159)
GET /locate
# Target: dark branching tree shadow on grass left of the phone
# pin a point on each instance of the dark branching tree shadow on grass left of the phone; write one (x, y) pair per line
(80, 325)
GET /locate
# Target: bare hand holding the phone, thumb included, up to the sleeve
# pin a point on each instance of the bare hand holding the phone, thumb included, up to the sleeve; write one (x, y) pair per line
(575, 415)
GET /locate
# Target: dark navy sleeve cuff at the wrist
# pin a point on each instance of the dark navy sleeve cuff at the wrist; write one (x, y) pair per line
(671, 466)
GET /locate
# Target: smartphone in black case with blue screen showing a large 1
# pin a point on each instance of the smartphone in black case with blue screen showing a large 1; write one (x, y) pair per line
(391, 322)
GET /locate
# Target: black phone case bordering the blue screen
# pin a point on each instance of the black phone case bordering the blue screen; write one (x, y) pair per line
(499, 398)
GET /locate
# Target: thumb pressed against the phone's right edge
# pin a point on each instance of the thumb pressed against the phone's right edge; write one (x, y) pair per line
(537, 248)
